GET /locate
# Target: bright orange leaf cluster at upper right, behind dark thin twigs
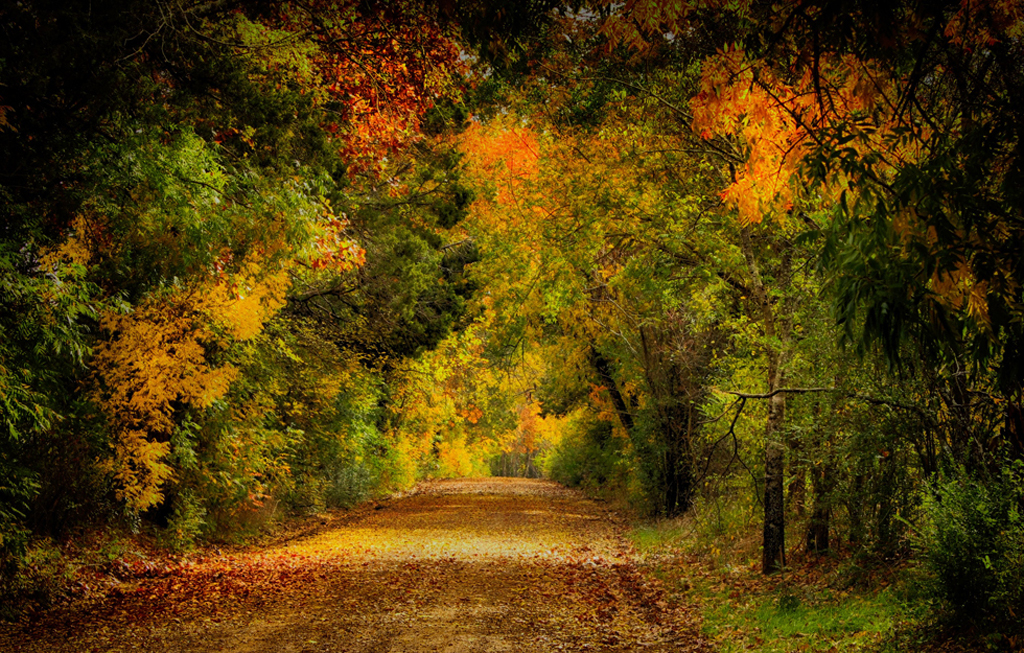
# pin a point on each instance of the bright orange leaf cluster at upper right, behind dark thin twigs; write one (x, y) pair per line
(779, 121)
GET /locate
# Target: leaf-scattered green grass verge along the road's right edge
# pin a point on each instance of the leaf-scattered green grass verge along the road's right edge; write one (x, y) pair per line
(829, 604)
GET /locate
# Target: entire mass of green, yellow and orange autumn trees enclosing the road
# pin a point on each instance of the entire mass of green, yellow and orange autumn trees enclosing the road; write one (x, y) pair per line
(272, 257)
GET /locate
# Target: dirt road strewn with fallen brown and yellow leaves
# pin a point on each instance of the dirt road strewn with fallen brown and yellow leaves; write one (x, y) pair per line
(471, 565)
